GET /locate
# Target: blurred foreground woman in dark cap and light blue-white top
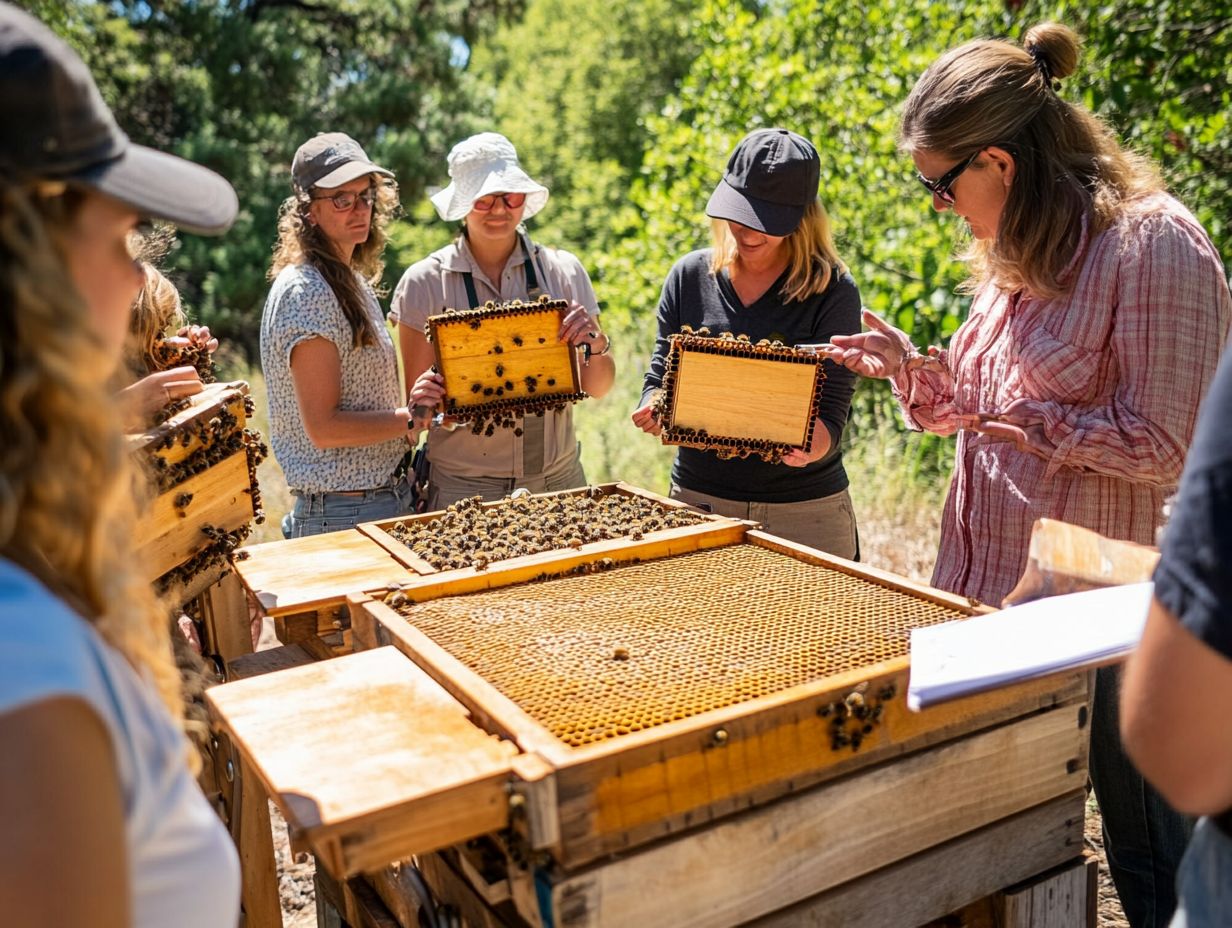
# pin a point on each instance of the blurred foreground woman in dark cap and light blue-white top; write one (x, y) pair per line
(91, 706)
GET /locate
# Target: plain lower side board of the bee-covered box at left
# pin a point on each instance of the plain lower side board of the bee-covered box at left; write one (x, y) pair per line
(220, 499)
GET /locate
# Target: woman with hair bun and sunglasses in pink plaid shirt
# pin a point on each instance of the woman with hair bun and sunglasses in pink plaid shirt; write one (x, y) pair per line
(1101, 310)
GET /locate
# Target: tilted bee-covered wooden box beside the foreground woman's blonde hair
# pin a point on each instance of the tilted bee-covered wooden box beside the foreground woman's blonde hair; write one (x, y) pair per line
(204, 464)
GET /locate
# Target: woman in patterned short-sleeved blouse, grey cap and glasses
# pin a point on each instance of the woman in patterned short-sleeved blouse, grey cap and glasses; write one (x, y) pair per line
(338, 426)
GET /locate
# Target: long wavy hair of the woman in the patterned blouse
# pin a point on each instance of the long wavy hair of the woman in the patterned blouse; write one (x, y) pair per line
(301, 242)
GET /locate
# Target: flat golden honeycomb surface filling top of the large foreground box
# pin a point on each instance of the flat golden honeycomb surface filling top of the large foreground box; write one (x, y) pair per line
(599, 656)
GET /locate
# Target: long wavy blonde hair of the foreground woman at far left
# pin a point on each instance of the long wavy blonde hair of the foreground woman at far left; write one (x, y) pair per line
(67, 484)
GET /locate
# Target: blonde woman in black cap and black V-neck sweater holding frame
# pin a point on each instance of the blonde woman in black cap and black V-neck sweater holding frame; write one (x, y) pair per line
(773, 274)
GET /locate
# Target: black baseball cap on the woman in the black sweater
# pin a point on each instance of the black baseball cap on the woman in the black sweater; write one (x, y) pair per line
(771, 178)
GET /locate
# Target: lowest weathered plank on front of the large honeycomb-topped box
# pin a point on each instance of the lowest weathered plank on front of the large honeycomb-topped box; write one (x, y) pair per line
(948, 877)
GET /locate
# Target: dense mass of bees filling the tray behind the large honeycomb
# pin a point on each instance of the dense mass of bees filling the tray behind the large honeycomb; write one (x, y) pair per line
(470, 534)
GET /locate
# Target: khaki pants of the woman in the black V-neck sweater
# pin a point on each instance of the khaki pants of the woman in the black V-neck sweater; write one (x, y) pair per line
(826, 524)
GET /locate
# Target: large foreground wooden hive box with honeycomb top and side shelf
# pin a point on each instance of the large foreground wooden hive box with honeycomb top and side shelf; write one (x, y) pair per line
(624, 713)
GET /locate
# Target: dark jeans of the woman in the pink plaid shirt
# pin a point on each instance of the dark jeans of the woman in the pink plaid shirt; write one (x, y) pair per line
(1144, 837)
